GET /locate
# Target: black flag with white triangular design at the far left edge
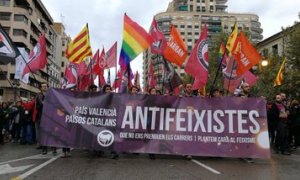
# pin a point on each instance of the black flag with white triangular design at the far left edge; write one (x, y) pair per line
(8, 50)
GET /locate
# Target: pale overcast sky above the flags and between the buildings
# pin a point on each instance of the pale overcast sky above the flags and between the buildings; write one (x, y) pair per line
(105, 17)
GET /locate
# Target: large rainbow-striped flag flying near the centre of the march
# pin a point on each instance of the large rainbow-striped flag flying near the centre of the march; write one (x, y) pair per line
(135, 41)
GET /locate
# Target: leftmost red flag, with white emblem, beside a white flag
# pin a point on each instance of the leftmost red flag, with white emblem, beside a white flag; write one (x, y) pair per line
(37, 58)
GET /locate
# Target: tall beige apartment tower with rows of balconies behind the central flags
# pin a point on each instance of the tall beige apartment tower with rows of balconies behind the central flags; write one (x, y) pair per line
(189, 17)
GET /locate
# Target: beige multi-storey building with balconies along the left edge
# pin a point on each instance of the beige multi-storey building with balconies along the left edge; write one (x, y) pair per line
(24, 21)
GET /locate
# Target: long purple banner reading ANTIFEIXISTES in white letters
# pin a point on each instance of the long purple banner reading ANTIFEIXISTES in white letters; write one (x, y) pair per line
(224, 127)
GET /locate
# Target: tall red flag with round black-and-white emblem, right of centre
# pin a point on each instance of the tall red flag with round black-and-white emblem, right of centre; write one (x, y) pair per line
(197, 64)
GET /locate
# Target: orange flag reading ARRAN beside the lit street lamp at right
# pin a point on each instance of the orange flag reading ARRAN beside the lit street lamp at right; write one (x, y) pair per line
(246, 55)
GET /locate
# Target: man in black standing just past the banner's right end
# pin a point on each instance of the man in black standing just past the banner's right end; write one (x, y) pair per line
(279, 115)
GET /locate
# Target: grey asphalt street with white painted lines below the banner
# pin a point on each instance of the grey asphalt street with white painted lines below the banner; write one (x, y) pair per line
(25, 162)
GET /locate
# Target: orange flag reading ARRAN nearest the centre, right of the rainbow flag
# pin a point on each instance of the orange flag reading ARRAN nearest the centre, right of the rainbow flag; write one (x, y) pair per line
(175, 51)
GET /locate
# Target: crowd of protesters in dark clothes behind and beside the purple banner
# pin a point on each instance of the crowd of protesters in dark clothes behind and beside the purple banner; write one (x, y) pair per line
(19, 122)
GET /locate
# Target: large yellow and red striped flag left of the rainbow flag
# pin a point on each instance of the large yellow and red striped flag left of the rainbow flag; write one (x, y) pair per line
(79, 48)
